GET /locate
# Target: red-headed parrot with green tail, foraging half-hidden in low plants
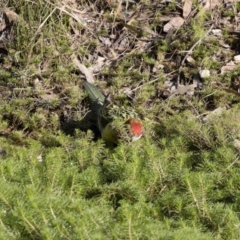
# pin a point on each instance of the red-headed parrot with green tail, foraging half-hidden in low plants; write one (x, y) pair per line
(115, 123)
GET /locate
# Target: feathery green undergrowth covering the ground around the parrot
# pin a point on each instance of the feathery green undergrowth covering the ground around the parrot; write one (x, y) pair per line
(58, 179)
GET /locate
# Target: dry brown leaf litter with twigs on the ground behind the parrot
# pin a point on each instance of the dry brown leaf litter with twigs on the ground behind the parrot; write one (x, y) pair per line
(119, 29)
